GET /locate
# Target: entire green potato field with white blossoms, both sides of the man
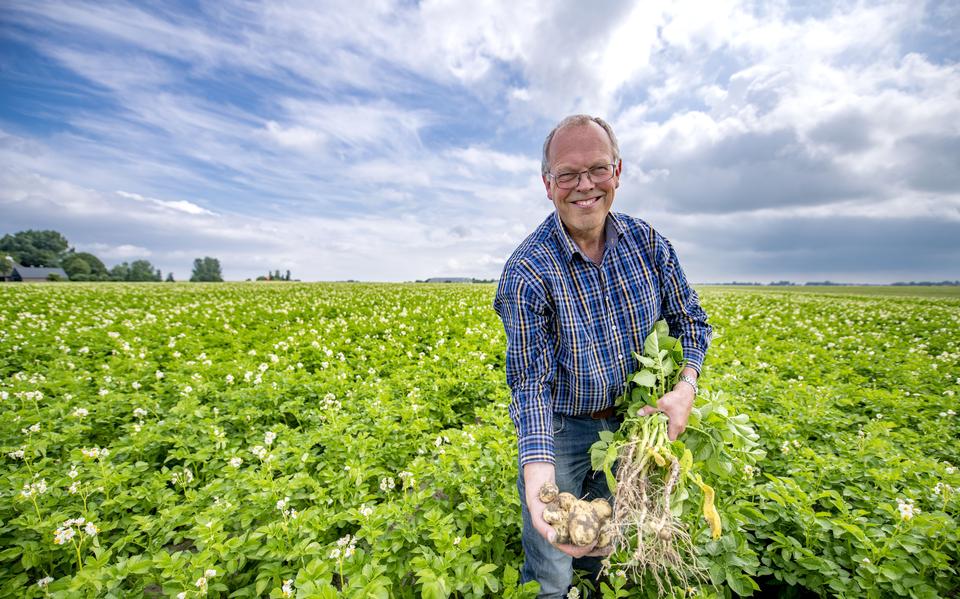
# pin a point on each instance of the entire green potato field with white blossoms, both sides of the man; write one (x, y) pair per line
(352, 440)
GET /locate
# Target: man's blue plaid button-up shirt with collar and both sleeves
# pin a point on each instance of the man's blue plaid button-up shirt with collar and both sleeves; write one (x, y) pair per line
(571, 324)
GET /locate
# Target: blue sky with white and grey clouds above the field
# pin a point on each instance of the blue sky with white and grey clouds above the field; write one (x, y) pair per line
(395, 140)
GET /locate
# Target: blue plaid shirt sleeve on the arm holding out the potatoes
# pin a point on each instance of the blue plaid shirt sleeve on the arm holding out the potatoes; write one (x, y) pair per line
(530, 366)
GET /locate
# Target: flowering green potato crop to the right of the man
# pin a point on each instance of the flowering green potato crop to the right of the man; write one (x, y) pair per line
(855, 401)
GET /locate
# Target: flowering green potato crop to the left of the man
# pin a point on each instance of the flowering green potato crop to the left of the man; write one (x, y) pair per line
(376, 452)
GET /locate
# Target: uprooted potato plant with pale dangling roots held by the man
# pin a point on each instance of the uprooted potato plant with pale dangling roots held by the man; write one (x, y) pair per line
(650, 476)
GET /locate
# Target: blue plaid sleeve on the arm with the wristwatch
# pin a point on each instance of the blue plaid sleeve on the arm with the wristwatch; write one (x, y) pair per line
(681, 307)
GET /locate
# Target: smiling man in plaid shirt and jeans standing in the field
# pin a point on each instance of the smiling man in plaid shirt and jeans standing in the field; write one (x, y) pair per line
(576, 299)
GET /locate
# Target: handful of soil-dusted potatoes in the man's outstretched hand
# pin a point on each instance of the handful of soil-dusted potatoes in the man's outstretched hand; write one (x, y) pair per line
(576, 521)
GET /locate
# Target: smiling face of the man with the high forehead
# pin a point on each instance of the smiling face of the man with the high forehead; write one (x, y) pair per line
(583, 209)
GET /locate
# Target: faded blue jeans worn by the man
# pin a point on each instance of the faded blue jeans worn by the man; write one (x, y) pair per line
(553, 569)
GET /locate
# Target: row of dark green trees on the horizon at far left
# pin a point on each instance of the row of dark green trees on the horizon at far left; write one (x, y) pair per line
(51, 249)
